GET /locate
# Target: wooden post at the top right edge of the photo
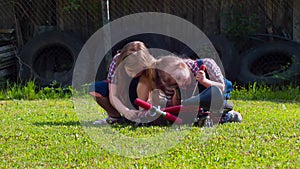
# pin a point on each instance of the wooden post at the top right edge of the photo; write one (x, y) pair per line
(296, 20)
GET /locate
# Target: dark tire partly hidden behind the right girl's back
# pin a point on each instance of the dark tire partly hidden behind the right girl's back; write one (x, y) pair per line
(228, 55)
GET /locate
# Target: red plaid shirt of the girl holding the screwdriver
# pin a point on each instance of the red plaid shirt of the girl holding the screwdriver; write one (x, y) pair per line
(212, 69)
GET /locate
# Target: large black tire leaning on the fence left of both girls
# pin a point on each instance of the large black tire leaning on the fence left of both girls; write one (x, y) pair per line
(40, 61)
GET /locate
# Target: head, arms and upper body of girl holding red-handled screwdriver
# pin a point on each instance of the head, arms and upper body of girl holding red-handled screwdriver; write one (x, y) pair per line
(174, 73)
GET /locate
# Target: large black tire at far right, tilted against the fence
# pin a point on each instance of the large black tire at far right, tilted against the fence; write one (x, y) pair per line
(270, 63)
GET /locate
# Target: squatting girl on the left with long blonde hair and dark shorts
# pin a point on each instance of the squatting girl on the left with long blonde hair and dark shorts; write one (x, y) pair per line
(105, 91)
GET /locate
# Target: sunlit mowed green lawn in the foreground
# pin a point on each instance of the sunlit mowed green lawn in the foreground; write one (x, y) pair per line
(48, 134)
